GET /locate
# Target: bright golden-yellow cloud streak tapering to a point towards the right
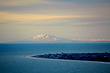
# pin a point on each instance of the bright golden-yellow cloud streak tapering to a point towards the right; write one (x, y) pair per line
(16, 17)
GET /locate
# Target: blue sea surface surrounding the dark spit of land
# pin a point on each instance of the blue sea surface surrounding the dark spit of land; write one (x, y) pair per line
(14, 58)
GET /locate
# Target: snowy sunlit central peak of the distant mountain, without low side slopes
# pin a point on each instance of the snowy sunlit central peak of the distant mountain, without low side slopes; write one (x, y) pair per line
(46, 38)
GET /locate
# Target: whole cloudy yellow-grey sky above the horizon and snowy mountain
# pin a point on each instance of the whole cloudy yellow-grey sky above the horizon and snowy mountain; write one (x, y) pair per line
(73, 19)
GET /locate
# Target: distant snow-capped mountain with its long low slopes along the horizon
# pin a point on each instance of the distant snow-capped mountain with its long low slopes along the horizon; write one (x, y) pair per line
(46, 38)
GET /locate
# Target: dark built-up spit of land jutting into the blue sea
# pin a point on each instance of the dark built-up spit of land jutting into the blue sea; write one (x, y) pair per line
(104, 57)
